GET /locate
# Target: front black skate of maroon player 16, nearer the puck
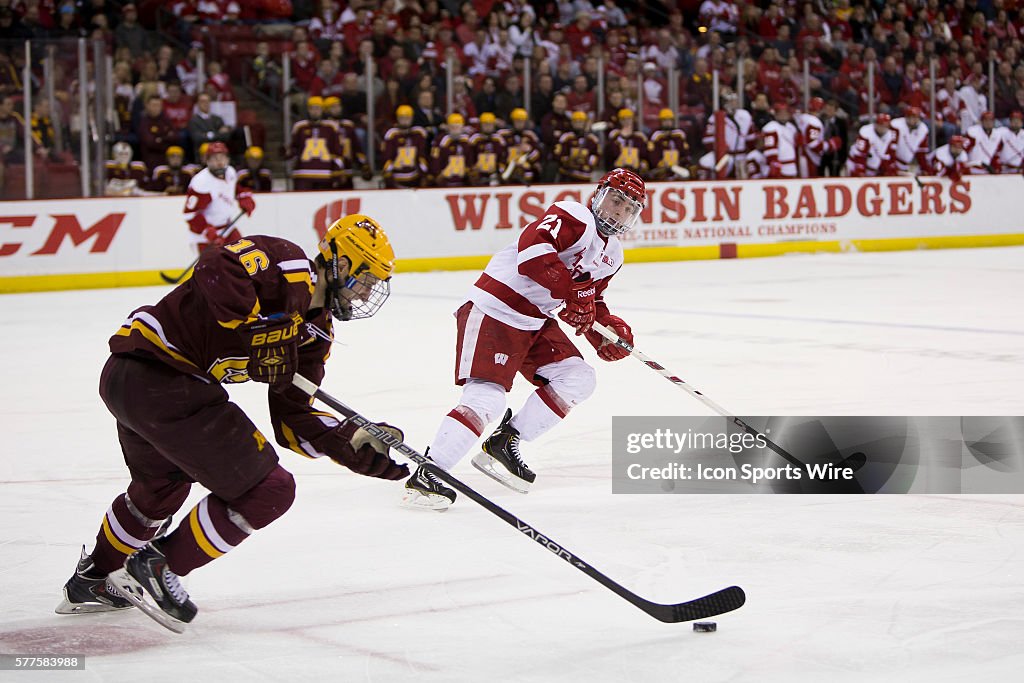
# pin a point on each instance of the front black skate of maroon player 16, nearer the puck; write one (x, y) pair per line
(150, 585)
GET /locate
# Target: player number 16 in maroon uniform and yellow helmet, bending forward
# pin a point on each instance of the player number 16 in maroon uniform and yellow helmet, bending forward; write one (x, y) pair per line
(255, 310)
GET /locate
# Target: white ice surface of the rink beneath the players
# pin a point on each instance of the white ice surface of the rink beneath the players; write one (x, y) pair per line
(348, 586)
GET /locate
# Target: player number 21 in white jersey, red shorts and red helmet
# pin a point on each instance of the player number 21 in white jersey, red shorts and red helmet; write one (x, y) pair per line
(508, 327)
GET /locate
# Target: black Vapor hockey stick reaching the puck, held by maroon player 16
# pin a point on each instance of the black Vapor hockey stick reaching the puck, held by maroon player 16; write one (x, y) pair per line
(709, 606)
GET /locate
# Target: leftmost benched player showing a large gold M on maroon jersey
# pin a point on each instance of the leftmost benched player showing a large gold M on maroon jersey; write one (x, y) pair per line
(316, 150)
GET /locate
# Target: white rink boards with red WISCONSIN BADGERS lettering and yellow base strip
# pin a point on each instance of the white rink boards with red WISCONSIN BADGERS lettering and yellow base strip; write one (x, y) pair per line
(77, 244)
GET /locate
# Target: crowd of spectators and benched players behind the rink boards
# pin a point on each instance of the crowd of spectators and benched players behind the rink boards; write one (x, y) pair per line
(819, 88)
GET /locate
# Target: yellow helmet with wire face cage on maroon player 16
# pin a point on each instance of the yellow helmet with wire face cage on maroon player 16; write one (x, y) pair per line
(366, 286)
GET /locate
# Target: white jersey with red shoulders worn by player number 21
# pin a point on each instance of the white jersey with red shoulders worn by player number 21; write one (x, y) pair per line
(567, 233)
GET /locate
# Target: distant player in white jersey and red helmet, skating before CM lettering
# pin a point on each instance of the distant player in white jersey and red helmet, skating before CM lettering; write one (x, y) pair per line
(211, 199)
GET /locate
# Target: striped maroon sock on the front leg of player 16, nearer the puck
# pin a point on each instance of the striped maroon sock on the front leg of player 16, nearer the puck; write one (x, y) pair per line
(210, 531)
